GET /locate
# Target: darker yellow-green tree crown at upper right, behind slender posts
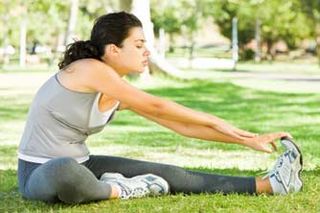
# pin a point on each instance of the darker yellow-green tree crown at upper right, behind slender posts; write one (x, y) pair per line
(279, 19)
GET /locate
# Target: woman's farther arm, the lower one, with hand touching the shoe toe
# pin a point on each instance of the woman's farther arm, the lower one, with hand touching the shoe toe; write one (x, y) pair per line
(259, 143)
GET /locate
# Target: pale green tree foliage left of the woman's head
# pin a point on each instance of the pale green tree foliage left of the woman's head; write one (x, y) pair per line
(46, 20)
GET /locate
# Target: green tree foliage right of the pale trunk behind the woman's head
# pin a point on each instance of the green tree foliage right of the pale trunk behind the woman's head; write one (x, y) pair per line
(280, 19)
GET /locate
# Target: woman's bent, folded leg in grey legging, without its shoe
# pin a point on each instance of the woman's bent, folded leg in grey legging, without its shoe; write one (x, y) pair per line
(61, 179)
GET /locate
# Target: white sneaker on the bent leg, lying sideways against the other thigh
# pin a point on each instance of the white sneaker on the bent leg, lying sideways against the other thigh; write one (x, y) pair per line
(138, 186)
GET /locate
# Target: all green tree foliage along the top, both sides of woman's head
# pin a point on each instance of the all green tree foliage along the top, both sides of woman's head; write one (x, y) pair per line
(287, 20)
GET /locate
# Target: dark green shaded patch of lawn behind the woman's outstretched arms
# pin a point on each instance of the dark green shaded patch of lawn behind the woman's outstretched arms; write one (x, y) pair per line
(230, 101)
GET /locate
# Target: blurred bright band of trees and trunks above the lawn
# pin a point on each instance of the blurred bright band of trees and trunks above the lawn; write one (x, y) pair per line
(188, 34)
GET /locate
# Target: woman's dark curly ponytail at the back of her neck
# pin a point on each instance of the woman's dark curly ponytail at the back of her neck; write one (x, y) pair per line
(79, 50)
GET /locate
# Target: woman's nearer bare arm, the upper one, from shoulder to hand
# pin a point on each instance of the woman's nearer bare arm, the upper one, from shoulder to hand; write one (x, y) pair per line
(100, 77)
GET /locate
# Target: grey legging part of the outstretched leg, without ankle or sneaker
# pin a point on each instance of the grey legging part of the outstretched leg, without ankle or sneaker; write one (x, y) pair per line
(179, 179)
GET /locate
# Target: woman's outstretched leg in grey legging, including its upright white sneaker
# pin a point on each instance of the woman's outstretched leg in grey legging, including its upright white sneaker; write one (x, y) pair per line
(284, 178)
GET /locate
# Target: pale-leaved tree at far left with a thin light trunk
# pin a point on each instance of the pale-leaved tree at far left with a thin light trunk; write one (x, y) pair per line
(41, 20)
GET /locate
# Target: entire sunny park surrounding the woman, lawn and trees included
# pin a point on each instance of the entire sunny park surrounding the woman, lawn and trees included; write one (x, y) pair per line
(254, 63)
